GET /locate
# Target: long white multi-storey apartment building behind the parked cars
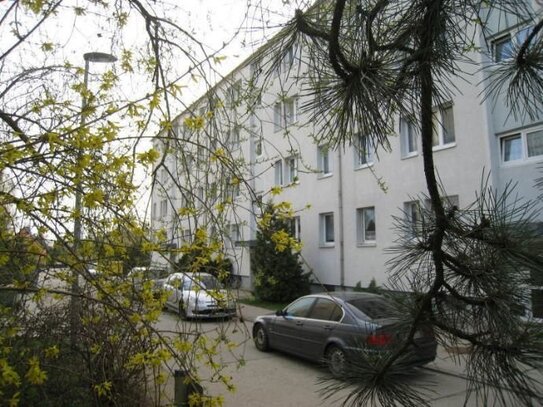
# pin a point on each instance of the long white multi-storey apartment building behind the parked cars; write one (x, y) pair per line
(346, 199)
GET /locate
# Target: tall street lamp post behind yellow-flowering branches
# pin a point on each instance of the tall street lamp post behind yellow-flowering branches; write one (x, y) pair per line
(98, 57)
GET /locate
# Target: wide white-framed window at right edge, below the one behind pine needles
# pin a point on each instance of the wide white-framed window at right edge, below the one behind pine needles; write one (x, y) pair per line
(522, 146)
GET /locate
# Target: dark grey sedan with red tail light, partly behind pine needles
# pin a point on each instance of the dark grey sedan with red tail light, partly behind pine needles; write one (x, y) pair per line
(339, 328)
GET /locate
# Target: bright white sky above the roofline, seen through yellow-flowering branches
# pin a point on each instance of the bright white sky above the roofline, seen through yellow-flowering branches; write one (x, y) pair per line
(235, 27)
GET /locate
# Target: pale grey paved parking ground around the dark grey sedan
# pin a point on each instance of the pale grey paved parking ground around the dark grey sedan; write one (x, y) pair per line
(274, 379)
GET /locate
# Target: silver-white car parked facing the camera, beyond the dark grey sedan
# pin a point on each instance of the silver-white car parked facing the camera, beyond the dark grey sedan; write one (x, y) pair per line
(198, 295)
